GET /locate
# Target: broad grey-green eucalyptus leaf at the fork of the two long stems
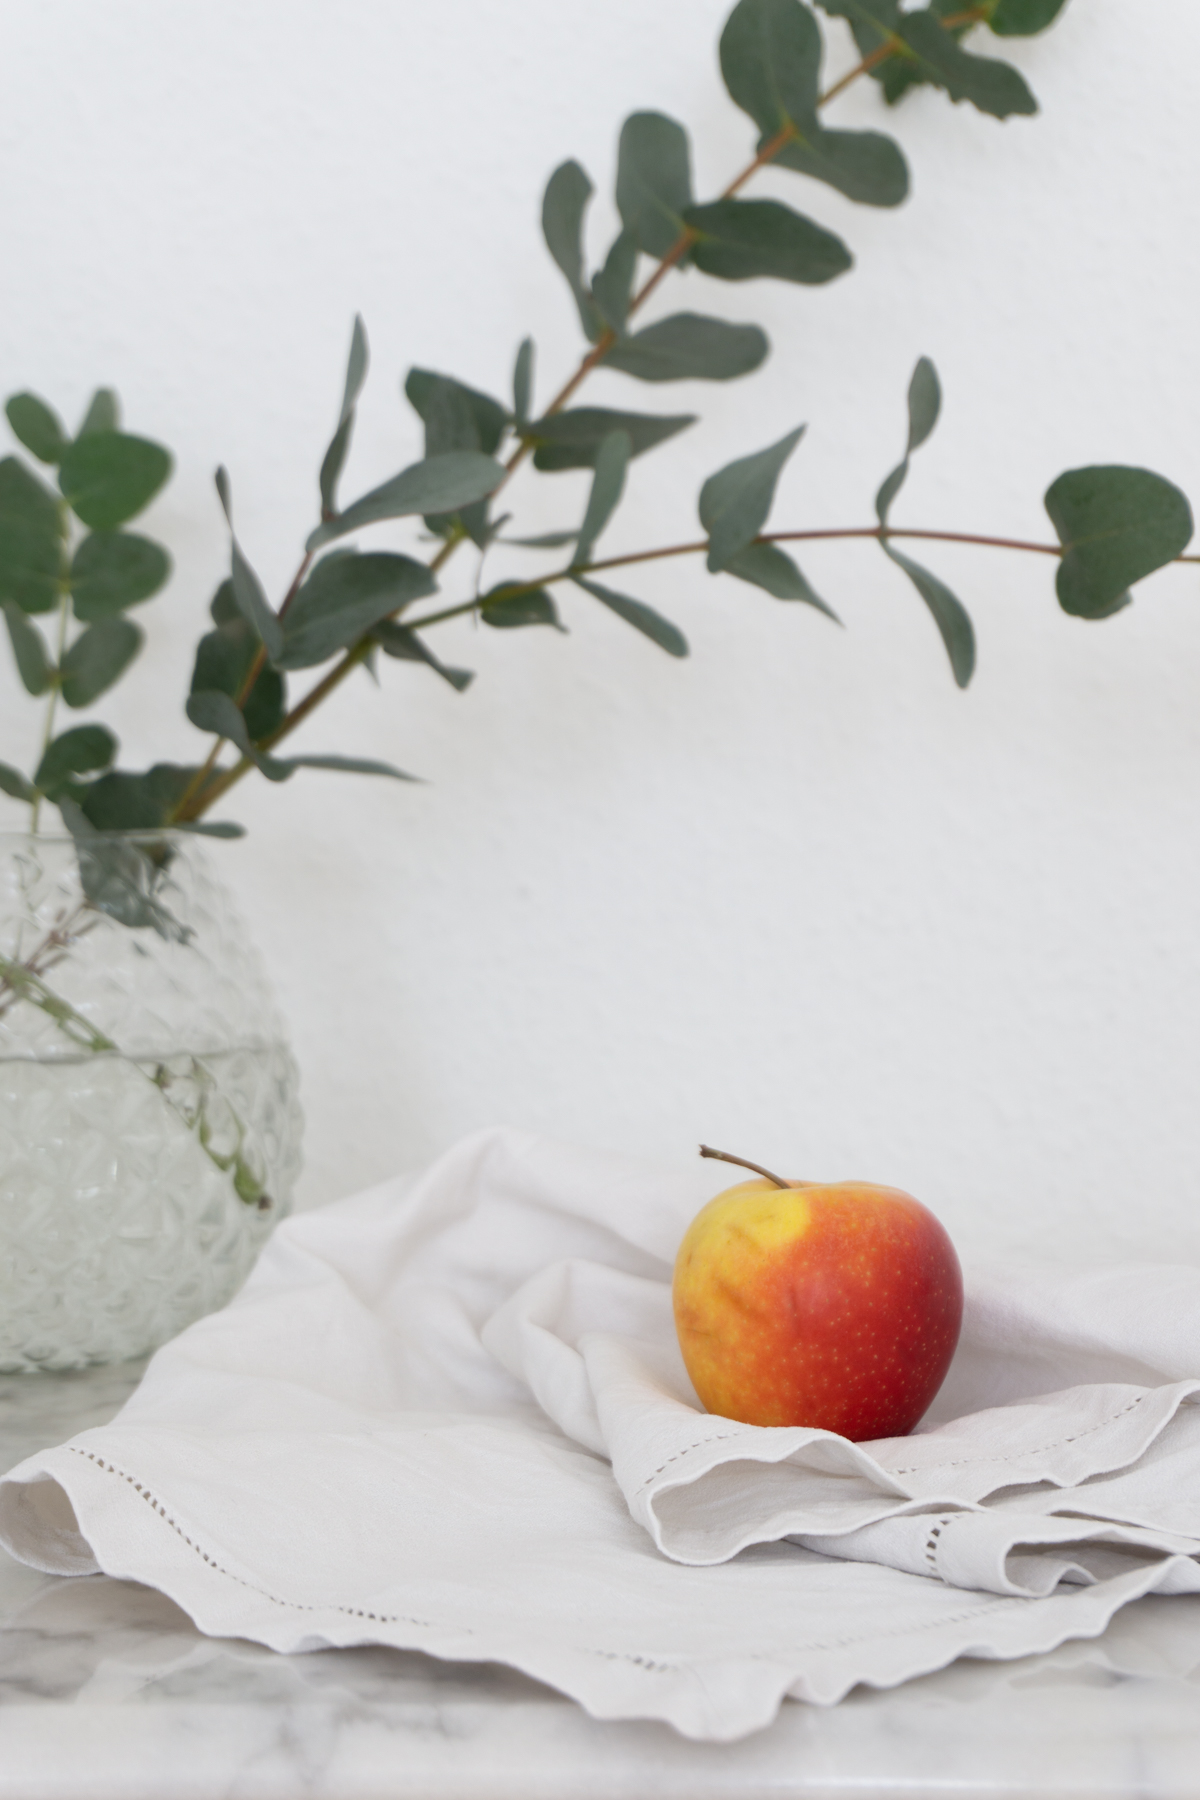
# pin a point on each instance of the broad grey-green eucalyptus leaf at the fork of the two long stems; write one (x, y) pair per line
(343, 598)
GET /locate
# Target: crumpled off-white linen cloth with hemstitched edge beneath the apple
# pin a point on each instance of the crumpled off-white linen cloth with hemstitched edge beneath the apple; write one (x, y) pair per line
(451, 1416)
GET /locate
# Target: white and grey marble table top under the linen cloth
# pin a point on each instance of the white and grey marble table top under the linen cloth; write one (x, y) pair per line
(109, 1693)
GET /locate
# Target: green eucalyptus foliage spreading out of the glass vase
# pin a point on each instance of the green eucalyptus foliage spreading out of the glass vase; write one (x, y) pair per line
(1115, 525)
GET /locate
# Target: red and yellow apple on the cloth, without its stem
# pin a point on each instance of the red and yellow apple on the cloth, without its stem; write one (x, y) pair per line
(836, 1306)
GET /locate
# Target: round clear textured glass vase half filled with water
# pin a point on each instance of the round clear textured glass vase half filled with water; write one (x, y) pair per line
(148, 1101)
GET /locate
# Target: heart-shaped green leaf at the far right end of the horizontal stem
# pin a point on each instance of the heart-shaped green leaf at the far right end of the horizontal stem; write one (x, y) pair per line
(1116, 526)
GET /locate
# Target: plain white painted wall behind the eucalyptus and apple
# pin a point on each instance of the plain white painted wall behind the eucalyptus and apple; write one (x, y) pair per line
(798, 895)
